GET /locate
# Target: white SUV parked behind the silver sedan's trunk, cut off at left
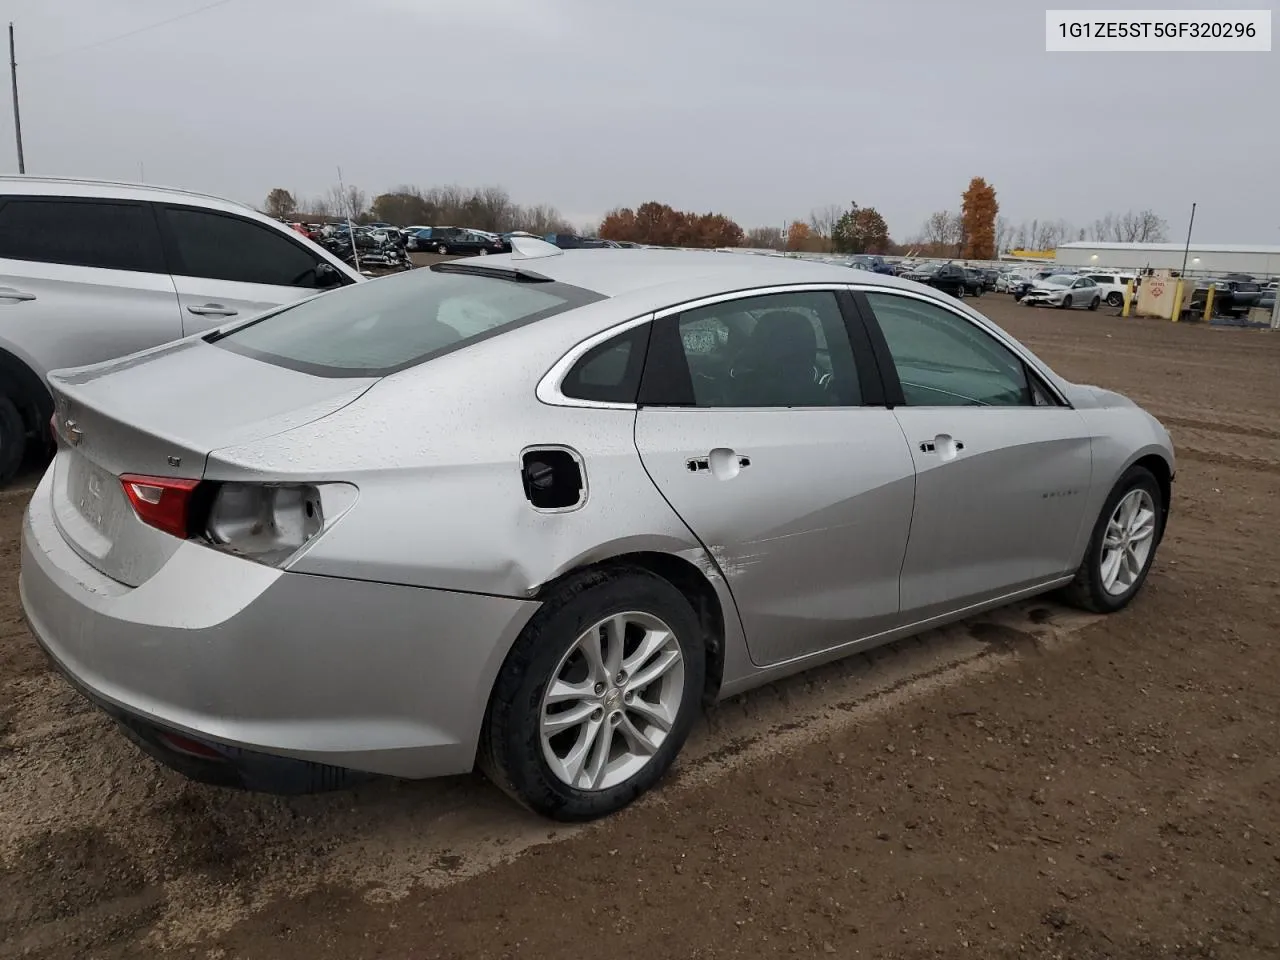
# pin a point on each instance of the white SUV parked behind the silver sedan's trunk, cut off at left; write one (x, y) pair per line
(93, 271)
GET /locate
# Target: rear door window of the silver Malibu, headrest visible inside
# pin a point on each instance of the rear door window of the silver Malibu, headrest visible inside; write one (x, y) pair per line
(783, 350)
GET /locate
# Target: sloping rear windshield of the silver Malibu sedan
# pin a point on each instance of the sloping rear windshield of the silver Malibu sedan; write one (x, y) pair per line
(386, 326)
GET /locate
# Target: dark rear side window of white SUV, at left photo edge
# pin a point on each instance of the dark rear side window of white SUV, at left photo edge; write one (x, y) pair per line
(108, 235)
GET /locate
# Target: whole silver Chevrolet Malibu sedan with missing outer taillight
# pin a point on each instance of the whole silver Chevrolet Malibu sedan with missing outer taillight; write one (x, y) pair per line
(533, 514)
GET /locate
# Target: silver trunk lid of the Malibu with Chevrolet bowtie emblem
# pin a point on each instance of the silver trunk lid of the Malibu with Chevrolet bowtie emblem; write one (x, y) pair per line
(177, 405)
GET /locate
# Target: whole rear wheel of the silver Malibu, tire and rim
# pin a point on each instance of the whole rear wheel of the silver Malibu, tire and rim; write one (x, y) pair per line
(597, 696)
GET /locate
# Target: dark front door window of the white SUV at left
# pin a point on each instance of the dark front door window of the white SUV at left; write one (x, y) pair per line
(226, 248)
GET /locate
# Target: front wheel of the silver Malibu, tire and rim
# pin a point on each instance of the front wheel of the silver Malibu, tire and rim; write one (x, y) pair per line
(1123, 546)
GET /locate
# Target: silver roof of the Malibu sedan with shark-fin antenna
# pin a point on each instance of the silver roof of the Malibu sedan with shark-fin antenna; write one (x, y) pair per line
(616, 272)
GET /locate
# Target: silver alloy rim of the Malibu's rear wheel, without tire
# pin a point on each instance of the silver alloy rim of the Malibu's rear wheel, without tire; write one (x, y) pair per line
(612, 701)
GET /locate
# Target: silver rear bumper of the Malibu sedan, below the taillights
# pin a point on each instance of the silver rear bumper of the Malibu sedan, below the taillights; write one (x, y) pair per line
(254, 661)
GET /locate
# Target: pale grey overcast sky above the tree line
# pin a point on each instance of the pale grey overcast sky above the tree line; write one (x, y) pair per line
(761, 109)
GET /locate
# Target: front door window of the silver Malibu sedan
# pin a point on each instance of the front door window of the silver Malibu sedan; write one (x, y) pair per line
(944, 360)
